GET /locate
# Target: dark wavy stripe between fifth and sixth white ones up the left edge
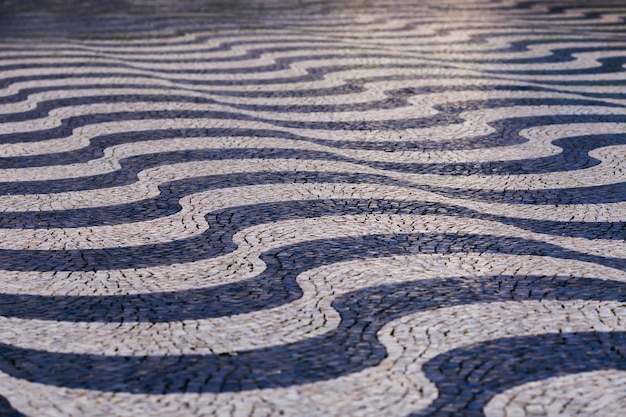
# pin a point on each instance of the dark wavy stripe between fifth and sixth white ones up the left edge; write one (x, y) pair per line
(574, 157)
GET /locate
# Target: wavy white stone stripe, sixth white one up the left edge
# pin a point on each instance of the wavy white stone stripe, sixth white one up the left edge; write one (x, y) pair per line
(539, 145)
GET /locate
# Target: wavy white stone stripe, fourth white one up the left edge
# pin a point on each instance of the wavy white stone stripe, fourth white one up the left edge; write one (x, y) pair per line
(190, 222)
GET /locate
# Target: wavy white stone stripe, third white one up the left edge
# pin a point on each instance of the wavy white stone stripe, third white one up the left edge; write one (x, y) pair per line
(253, 241)
